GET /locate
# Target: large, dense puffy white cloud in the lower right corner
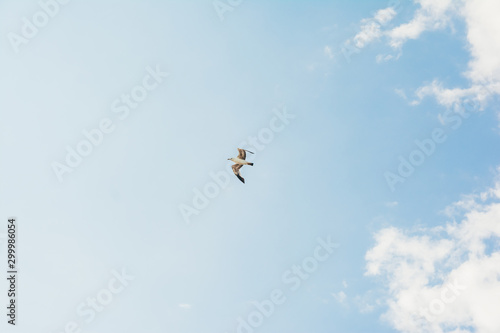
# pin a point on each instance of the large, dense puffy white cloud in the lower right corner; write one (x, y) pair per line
(443, 279)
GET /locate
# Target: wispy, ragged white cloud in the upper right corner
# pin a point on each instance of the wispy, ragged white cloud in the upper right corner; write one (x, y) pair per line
(483, 43)
